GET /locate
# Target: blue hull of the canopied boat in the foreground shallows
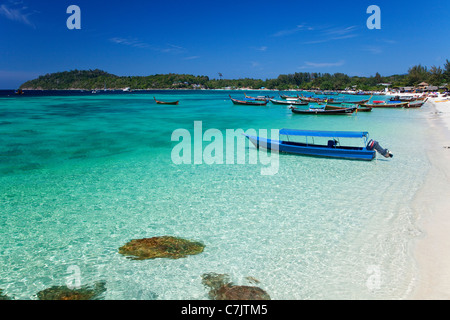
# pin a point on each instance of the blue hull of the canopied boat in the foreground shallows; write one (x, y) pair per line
(312, 150)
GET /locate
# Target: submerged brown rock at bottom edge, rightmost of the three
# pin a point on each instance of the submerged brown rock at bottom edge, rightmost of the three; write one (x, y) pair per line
(223, 289)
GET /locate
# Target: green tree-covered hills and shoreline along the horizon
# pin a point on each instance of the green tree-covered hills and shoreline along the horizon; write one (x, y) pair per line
(98, 79)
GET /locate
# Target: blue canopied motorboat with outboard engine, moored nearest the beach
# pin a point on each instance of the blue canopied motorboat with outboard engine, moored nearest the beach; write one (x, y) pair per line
(333, 148)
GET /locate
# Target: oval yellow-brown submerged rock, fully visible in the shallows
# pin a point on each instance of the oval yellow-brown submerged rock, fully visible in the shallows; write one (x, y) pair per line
(161, 247)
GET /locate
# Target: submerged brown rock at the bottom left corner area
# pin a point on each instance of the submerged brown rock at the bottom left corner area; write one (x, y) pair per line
(64, 293)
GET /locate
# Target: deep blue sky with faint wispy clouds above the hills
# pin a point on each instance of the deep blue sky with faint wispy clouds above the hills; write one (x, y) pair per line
(257, 39)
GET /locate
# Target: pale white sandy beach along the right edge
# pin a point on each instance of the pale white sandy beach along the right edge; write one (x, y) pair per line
(432, 205)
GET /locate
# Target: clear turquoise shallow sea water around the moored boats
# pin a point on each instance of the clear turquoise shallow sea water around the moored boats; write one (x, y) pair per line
(81, 176)
